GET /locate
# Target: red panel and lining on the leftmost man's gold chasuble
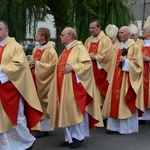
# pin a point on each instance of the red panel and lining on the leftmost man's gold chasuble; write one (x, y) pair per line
(10, 103)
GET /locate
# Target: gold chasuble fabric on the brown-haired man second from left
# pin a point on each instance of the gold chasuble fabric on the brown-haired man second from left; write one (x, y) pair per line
(45, 69)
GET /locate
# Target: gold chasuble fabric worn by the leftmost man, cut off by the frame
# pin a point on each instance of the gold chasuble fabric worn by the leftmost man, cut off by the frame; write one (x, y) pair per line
(15, 65)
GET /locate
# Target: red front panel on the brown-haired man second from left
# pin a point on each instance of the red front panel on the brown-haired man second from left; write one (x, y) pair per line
(37, 55)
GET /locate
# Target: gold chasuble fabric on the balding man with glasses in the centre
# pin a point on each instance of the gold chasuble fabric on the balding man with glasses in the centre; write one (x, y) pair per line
(64, 111)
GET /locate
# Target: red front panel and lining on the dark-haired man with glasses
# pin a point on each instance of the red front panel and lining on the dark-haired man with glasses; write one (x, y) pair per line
(99, 75)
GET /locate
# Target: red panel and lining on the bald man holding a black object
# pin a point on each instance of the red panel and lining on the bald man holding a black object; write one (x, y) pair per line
(130, 97)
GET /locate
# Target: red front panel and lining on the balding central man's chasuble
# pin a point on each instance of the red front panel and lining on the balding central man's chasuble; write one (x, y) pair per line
(80, 94)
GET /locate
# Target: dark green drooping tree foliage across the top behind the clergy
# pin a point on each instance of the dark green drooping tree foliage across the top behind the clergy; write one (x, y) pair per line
(75, 13)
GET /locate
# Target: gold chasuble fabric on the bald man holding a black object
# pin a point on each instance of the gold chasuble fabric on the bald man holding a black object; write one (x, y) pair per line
(136, 80)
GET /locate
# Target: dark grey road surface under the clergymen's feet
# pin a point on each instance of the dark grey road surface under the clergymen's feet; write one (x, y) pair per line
(99, 140)
